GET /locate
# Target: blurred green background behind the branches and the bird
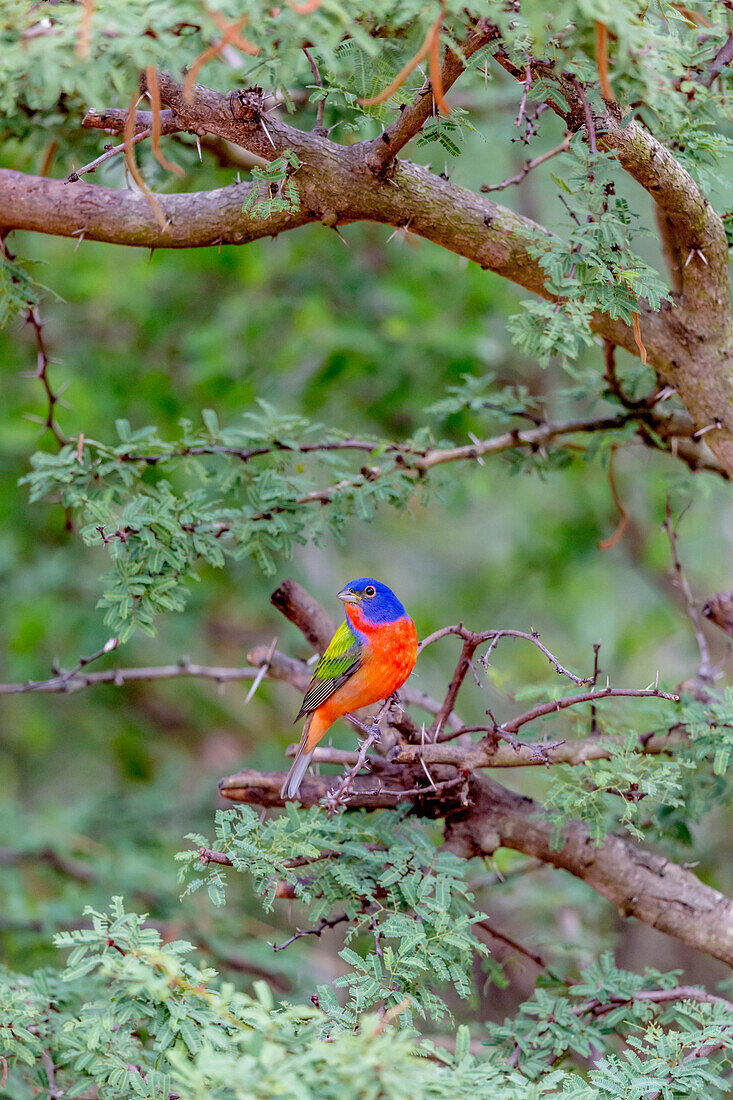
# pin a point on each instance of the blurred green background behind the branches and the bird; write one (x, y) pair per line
(100, 788)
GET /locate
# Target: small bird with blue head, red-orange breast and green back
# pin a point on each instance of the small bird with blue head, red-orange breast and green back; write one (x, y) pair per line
(369, 658)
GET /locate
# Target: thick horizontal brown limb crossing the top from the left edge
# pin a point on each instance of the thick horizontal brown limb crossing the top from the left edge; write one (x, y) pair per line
(336, 186)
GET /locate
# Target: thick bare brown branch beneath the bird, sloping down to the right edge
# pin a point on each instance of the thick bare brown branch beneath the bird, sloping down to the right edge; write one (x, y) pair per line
(488, 817)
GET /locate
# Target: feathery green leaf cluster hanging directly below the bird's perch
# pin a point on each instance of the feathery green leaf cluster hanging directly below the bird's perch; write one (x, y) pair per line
(407, 907)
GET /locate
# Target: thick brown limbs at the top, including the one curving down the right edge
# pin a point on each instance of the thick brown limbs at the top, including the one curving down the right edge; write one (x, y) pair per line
(691, 345)
